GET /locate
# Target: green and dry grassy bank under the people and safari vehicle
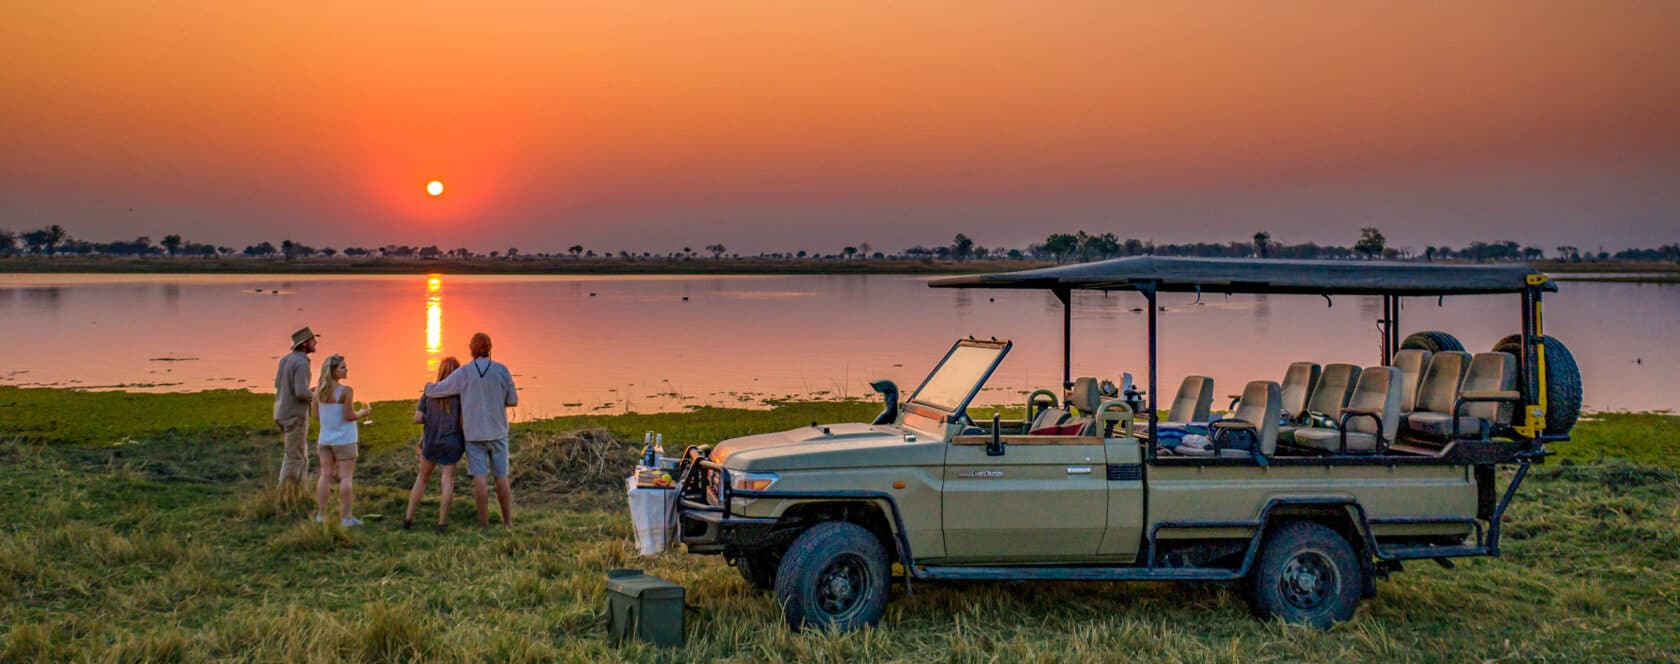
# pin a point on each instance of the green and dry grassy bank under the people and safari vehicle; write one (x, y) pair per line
(140, 529)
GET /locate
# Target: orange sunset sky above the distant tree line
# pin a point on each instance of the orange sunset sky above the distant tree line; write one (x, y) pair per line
(809, 125)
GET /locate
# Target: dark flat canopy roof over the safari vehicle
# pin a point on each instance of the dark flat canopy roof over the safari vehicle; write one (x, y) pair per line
(1185, 275)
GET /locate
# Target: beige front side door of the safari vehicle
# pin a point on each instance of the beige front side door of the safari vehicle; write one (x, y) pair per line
(1042, 500)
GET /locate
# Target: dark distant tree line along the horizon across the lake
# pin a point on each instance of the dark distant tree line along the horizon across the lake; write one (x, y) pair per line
(1059, 248)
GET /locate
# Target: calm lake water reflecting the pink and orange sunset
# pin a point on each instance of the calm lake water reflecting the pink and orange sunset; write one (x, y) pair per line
(671, 342)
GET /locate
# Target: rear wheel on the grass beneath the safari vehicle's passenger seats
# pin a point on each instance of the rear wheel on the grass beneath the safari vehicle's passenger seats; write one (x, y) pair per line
(1306, 574)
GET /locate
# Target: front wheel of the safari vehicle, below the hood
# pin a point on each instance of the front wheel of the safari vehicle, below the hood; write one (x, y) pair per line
(834, 576)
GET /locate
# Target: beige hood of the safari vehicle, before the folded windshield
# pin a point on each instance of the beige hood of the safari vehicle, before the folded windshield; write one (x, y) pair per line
(809, 448)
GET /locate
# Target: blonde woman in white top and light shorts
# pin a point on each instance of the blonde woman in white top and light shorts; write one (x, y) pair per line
(337, 445)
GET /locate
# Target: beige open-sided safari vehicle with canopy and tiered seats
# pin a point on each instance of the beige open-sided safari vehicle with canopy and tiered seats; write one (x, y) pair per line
(1301, 497)
